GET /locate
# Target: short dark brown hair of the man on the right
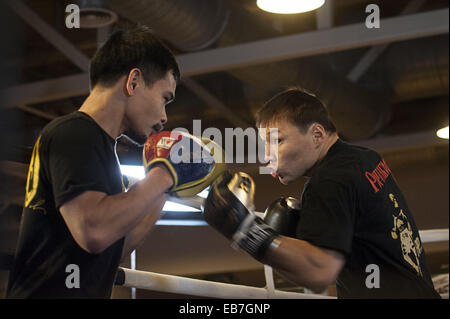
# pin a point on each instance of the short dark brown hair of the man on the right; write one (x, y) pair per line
(297, 106)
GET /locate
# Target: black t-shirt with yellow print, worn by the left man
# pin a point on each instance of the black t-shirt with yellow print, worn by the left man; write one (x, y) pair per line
(72, 155)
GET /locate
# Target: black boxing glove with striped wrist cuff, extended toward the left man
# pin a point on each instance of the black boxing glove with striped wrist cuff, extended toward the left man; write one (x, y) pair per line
(229, 209)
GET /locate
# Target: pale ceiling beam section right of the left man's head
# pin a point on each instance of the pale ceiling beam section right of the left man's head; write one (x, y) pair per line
(315, 42)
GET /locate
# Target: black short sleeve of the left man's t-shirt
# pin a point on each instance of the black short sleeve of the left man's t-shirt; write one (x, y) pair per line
(76, 160)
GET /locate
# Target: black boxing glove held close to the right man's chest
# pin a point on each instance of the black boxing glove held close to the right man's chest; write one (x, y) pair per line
(283, 215)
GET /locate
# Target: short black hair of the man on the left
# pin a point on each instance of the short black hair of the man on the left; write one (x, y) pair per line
(132, 47)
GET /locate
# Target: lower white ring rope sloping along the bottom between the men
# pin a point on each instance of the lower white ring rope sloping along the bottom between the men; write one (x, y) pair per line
(195, 287)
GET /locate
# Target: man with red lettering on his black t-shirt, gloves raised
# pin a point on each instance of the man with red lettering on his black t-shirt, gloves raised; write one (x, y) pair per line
(354, 227)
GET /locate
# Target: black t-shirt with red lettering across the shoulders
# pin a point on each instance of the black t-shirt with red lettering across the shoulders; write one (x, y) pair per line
(352, 204)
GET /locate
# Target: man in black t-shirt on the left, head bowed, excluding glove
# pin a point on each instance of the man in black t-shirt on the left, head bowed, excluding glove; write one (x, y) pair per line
(77, 222)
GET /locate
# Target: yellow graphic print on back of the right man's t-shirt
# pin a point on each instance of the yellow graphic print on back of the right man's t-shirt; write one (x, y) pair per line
(411, 248)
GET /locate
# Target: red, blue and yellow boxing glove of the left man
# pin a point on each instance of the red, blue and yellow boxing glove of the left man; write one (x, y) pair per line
(193, 163)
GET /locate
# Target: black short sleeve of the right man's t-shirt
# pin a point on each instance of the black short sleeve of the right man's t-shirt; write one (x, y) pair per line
(328, 214)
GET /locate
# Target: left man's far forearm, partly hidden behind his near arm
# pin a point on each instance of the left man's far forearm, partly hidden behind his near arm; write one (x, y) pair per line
(135, 237)
